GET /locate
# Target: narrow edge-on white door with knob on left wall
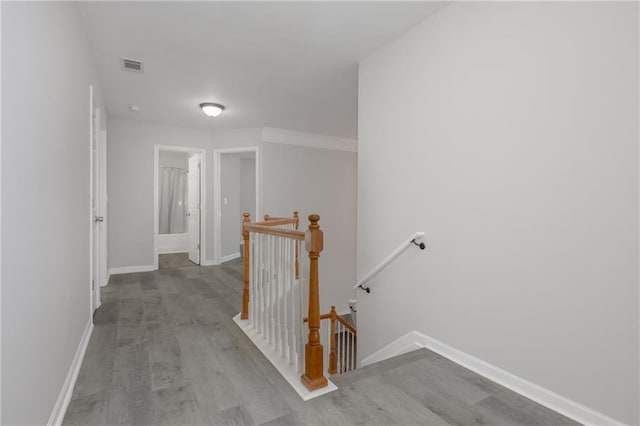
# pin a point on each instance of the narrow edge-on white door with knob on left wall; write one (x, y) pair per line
(98, 219)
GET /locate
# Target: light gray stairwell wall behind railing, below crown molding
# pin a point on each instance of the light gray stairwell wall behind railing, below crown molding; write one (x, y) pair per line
(317, 181)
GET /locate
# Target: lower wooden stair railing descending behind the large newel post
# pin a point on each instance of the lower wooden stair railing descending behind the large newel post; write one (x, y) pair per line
(342, 343)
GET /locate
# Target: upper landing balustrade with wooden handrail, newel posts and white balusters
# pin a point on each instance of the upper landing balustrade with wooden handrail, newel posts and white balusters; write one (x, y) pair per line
(275, 313)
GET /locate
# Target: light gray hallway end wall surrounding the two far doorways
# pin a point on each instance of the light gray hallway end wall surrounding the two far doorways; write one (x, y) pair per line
(130, 182)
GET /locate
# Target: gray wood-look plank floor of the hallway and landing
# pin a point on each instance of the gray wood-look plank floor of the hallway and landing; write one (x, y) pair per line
(165, 351)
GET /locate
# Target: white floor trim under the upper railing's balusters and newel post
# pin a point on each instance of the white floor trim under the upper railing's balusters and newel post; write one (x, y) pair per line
(289, 372)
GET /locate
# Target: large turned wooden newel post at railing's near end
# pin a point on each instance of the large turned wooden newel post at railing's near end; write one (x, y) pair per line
(313, 377)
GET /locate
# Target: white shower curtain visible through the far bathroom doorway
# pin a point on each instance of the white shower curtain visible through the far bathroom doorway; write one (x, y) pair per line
(173, 200)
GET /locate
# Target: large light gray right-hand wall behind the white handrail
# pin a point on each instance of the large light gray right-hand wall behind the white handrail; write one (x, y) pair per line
(509, 133)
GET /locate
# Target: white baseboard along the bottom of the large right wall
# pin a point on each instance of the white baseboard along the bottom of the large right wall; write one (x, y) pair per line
(565, 406)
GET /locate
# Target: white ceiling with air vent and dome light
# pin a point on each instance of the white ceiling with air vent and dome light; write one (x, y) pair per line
(291, 65)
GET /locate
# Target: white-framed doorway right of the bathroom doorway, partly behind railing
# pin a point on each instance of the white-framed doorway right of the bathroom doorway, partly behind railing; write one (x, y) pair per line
(235, 192)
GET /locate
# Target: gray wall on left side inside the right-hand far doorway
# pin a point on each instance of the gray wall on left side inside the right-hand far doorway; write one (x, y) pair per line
(231, 220)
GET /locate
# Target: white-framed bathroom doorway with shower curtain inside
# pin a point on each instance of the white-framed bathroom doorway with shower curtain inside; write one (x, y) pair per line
(179, 214)
